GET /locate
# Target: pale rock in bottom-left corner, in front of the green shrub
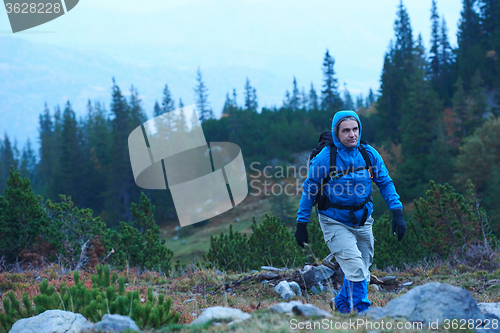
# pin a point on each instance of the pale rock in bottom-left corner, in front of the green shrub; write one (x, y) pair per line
(51, 321)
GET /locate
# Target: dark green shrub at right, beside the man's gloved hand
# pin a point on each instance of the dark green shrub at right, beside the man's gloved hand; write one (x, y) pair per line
(444, 223)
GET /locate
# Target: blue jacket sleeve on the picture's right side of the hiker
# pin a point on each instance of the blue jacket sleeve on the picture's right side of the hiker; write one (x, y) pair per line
(384, 182)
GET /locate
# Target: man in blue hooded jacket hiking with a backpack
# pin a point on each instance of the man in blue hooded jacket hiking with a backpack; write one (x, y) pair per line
(345, 210)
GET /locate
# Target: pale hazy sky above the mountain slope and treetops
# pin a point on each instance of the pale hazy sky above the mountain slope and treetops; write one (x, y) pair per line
(285, 38)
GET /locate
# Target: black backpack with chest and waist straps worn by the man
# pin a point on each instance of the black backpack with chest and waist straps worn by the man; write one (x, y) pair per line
(321, 201)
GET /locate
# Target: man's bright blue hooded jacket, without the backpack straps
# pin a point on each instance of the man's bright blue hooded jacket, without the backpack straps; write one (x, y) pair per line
(351, 189)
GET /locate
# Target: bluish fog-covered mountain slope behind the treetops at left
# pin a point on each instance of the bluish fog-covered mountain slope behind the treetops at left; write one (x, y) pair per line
(32, 74)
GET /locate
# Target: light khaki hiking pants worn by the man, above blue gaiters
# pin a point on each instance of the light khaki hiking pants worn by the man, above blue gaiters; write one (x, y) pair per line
(352, 247)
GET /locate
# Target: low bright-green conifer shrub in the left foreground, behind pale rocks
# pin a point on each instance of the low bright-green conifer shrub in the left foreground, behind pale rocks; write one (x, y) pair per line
(103, 298)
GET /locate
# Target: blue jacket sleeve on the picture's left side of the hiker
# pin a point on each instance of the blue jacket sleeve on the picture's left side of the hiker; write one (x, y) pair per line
(318, 170)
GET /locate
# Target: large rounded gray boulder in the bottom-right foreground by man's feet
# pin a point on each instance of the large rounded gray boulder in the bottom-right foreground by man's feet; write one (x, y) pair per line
(432, 301)
